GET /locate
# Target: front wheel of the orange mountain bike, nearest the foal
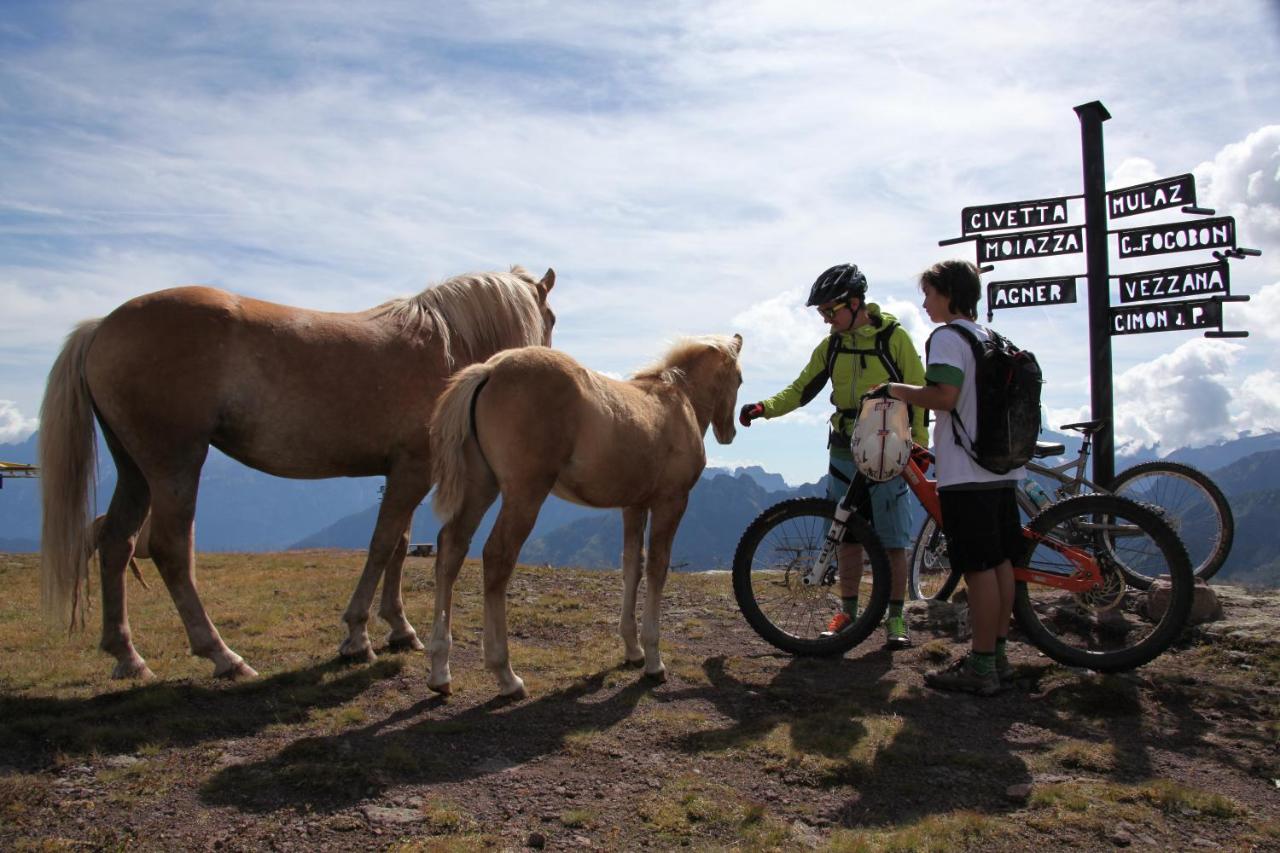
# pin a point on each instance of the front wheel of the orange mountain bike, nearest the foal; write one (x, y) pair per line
(775, 553)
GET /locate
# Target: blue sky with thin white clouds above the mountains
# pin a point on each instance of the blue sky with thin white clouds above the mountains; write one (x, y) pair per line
(687, 168)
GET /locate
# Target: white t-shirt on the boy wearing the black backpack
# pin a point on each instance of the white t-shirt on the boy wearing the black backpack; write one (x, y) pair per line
(956, 468)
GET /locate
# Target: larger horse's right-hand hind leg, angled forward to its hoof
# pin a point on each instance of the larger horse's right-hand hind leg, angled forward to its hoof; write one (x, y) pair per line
(173, 516)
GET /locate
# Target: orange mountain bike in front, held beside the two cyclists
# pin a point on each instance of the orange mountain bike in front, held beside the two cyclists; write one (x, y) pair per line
(1073, 597)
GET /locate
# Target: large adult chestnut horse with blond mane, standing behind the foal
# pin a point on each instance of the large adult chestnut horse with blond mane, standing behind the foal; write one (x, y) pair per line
(289, 391)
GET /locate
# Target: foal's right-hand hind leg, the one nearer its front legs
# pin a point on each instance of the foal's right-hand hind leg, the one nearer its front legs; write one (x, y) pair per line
(514, 526)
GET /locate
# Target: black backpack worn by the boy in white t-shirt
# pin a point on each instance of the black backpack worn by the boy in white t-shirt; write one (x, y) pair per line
(1008, 382)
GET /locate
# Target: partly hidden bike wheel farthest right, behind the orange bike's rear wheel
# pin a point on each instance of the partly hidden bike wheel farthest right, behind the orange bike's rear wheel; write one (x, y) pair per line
(1192, 504)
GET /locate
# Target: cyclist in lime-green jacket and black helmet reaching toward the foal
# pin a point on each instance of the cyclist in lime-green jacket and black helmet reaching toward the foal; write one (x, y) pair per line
(866, 349)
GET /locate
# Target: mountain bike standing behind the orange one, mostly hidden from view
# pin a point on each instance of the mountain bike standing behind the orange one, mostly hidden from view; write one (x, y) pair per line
(1192, 504)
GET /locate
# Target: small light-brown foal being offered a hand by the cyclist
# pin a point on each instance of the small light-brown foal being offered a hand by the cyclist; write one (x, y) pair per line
(532, 423)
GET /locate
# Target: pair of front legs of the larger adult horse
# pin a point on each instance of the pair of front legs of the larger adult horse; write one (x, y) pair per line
(404, 492)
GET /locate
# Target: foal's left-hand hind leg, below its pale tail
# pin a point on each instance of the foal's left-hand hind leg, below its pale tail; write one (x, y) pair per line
(451, 551)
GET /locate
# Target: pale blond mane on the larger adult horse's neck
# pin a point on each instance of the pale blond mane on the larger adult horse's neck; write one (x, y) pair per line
(476, 314)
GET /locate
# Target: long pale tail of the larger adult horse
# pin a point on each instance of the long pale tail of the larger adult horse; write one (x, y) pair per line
(67, 467)
